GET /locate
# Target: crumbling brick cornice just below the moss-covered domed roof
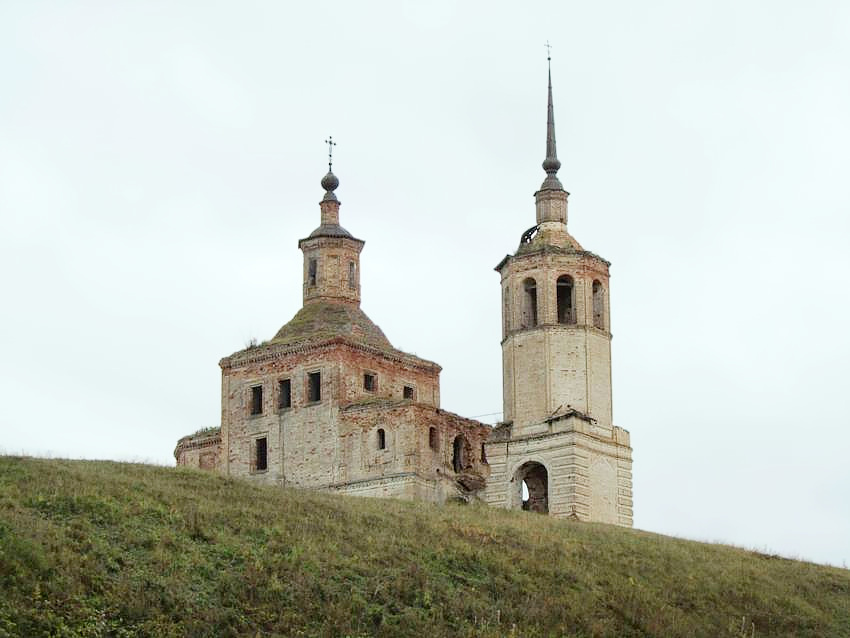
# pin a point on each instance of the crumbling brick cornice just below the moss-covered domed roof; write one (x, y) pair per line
(269, 350)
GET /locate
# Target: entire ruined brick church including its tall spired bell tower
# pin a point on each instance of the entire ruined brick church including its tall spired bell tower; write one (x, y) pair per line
(328, 403)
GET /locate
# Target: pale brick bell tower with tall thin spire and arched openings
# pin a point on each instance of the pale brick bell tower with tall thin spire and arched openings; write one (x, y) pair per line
(557, 449)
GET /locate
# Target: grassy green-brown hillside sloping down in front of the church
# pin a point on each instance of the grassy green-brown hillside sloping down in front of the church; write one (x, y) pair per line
(111, 549)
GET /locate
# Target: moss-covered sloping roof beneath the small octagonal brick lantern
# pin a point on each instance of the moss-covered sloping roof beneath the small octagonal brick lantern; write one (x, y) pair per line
(321, 320)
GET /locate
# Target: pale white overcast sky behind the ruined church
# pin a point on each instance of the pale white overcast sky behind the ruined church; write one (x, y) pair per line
(159, 162)
